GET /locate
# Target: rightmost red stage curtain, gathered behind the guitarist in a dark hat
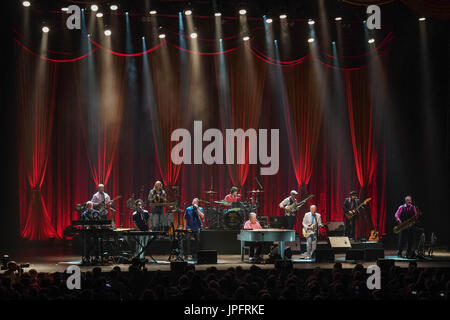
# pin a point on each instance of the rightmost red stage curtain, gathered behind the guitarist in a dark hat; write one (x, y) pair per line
(362, 128)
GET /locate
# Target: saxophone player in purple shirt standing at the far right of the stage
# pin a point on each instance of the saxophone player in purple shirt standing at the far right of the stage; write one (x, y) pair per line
(404, 212)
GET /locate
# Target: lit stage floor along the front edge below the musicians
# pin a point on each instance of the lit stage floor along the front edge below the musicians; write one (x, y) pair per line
(52, 258)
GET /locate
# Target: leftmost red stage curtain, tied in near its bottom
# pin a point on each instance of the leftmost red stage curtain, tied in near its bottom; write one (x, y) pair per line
(36, 114)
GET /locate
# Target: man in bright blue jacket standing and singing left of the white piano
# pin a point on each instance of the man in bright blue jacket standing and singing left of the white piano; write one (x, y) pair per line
(193, 217)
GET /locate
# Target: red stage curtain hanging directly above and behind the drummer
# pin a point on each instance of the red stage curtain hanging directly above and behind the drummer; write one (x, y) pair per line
(247, 80)
